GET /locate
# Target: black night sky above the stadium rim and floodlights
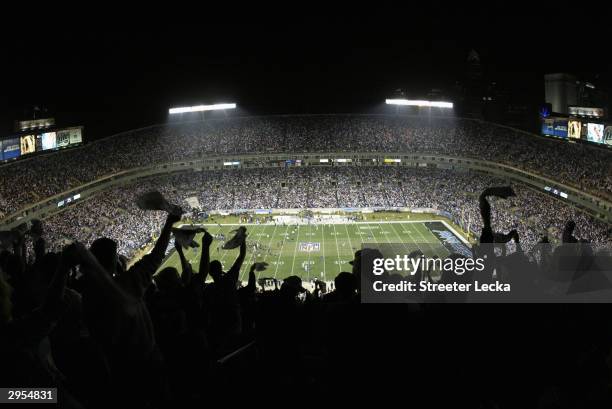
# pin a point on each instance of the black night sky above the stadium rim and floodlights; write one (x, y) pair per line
(111, 73)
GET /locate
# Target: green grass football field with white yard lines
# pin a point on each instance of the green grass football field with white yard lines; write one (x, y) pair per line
(285, 248)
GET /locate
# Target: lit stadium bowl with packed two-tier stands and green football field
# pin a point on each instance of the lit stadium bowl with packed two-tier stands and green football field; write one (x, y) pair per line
(353, 169)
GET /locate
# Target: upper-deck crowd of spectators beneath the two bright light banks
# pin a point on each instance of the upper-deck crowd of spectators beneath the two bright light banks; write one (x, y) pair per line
(28, 181)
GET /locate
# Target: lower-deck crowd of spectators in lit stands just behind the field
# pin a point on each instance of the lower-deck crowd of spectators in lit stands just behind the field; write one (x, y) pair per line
(114, 214)
